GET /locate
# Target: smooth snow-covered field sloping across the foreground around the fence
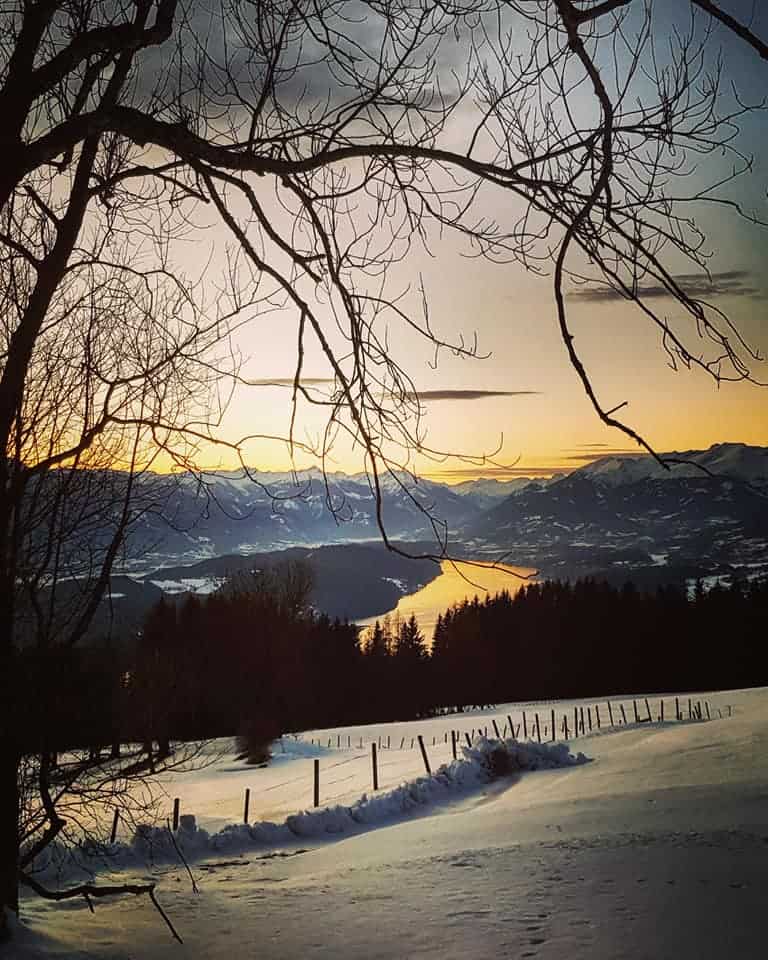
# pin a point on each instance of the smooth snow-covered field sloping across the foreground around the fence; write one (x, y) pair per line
(657, 848)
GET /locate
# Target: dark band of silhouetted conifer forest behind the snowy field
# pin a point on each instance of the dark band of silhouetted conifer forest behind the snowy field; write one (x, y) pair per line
(251, 660)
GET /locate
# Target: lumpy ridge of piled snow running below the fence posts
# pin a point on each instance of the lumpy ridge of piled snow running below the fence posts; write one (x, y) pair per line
(484, 761)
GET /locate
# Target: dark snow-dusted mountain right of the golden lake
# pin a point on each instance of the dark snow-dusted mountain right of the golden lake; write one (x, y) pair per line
(707, 514)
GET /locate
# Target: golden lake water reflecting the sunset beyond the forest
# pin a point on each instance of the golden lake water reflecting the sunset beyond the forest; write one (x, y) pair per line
(456, 582)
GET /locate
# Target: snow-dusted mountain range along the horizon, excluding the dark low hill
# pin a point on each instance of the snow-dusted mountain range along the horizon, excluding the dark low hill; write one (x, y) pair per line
(631, 498)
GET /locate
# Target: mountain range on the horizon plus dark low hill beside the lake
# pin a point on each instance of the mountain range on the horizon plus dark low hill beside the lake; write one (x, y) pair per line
(704, 515)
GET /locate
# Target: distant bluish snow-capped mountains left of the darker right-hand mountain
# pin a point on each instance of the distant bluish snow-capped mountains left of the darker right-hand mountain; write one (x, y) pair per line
(229, 512)
